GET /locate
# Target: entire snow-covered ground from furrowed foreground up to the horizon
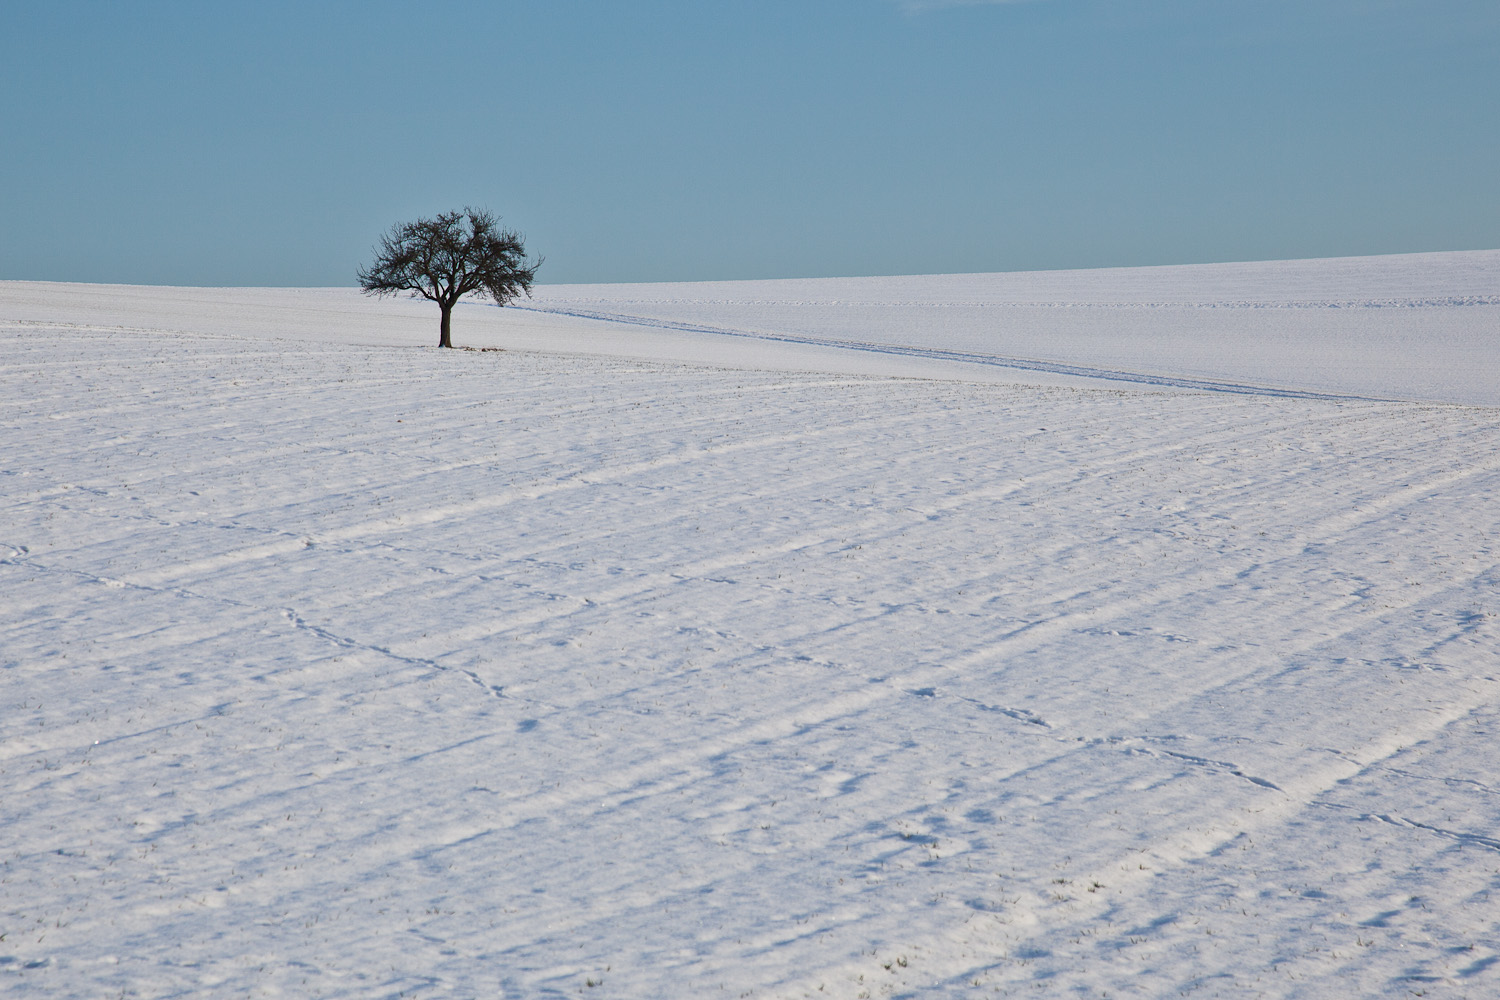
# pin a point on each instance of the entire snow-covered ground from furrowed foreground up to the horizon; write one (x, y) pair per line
(1114, 633)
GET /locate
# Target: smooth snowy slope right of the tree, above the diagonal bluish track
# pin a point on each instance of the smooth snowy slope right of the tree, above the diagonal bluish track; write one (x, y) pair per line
(1423, 326)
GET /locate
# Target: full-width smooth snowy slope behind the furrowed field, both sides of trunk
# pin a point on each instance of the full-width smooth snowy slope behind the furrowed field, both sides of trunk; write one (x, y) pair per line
(1421, 326)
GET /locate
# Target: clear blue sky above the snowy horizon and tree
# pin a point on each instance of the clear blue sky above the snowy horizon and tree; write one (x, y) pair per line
(685, 140)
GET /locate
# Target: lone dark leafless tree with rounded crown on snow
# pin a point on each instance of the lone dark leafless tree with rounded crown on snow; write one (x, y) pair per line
(449, 257)
